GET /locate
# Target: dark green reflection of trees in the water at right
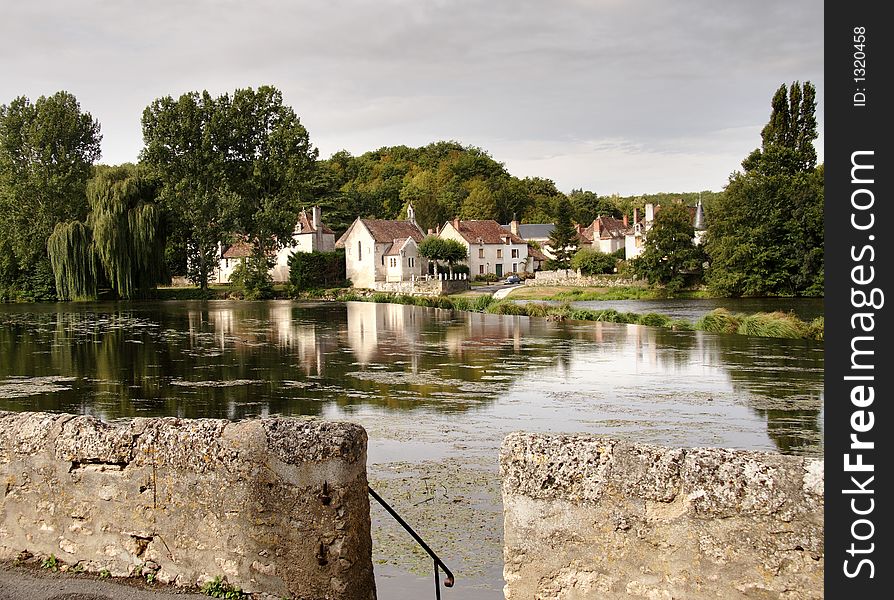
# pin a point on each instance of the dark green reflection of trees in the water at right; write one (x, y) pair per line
(783, 380)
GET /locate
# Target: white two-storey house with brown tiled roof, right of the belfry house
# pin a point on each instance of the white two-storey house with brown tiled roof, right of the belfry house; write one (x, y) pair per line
(491, 248)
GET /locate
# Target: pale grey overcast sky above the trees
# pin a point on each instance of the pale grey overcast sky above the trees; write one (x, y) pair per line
(613, 96)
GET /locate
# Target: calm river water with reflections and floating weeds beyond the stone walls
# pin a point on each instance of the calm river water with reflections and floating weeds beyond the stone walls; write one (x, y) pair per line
(437, 390)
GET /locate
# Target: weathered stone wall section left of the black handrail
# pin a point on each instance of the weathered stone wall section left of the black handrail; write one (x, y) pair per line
(275, 505)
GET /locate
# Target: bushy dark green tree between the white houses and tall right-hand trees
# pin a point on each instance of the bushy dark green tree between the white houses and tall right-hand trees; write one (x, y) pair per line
(669, 251)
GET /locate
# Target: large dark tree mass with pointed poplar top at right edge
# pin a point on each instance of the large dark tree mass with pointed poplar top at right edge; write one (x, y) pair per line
(765, 233)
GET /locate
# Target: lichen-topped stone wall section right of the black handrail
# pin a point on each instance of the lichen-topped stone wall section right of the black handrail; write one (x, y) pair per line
(593, 517)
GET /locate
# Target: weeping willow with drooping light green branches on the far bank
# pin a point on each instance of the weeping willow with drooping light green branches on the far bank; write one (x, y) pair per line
(121, 244)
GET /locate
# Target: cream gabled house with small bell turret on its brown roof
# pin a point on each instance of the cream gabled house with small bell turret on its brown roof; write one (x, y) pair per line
(378, 250)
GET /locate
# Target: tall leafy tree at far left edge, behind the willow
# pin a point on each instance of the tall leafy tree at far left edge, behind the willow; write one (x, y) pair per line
(46, 151)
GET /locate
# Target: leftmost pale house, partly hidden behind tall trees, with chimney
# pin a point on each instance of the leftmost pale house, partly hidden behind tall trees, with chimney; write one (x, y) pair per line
(310, 235)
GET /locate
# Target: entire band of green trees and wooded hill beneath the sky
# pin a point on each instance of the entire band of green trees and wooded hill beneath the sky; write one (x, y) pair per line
(241, 166)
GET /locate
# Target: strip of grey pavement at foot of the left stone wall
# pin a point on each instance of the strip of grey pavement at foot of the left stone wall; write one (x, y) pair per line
(18, 583)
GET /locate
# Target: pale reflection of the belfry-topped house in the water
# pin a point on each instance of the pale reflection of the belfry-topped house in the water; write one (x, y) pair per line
(377, 331)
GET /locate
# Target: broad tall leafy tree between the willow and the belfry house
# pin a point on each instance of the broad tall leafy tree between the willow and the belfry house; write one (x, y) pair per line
(242, 164)
